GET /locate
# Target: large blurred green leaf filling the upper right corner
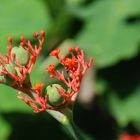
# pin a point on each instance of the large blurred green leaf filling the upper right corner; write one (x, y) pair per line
(107, 34)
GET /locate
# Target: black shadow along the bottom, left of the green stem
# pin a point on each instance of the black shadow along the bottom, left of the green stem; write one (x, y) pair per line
(34, 127)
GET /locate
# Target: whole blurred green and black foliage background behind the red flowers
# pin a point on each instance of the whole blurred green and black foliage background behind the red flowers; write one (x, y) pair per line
(109, 32)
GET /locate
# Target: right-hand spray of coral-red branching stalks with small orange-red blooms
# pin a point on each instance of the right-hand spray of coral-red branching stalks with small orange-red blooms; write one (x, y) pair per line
(76, 67)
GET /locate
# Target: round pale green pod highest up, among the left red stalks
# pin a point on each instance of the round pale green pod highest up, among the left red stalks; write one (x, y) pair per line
(21, 55)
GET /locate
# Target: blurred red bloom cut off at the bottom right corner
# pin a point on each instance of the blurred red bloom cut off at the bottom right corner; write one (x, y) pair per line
(129, 137)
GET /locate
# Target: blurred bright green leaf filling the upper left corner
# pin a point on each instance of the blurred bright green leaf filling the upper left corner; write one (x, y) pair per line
(22, 18)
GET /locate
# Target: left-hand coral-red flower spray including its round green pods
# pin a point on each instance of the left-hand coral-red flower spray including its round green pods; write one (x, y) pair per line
(20, 59)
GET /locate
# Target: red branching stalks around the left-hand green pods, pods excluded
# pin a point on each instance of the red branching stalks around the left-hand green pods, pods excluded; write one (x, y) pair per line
(33, 51)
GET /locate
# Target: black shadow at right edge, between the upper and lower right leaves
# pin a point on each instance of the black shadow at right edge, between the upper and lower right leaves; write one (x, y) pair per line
(123, 77)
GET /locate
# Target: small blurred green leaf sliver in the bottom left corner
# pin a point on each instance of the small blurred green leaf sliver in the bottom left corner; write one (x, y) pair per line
(4, 129)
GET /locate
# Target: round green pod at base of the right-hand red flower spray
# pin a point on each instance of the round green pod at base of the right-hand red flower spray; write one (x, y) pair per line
(54, 97)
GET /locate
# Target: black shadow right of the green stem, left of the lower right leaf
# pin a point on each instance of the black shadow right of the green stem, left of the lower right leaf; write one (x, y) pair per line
(96, 122)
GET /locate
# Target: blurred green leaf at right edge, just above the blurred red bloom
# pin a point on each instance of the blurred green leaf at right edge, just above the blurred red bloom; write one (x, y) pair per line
(126, 110)
